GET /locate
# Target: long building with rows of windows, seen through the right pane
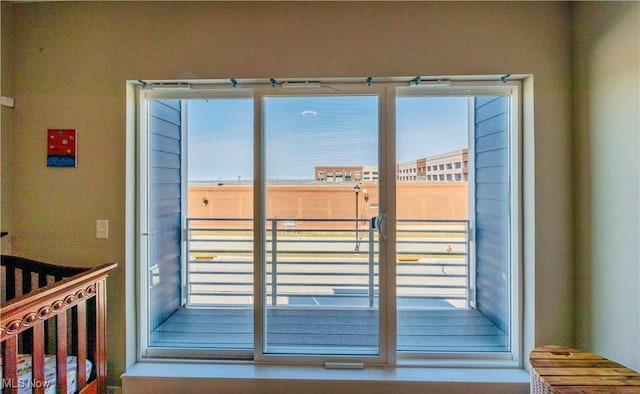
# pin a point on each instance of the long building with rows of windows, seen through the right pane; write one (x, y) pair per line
(446, 167)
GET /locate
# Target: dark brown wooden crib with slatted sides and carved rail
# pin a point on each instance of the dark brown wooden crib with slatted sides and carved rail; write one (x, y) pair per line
(53, 319)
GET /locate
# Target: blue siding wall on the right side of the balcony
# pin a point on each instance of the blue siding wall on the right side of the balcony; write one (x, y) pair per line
(492, 208)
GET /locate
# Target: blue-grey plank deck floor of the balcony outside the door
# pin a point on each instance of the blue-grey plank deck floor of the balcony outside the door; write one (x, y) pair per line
(447, 330)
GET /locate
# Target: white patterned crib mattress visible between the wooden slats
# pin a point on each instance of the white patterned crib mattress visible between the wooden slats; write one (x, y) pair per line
(25, 380)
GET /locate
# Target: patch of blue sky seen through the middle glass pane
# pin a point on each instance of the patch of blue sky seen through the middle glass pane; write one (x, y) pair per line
(304, 132)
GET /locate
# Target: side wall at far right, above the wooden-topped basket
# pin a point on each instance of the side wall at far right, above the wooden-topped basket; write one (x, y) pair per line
(607, 182)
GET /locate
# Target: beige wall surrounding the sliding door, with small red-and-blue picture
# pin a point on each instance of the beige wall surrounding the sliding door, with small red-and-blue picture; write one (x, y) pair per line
(74, 58)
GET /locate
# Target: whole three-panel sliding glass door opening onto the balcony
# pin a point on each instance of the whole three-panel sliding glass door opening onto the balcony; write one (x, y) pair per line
(343, 224)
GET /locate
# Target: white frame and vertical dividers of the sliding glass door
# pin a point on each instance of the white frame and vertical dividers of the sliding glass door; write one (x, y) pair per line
(388, 354)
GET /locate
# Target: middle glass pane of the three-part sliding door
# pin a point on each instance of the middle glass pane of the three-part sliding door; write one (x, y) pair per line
(321, 263)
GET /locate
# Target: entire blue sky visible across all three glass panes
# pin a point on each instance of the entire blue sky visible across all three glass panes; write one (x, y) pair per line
(304, 132)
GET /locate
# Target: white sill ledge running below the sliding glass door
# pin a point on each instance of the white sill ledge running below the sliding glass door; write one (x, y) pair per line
(161, 377)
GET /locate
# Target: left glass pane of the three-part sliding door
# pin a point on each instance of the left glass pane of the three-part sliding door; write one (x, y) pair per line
(201, 165)
